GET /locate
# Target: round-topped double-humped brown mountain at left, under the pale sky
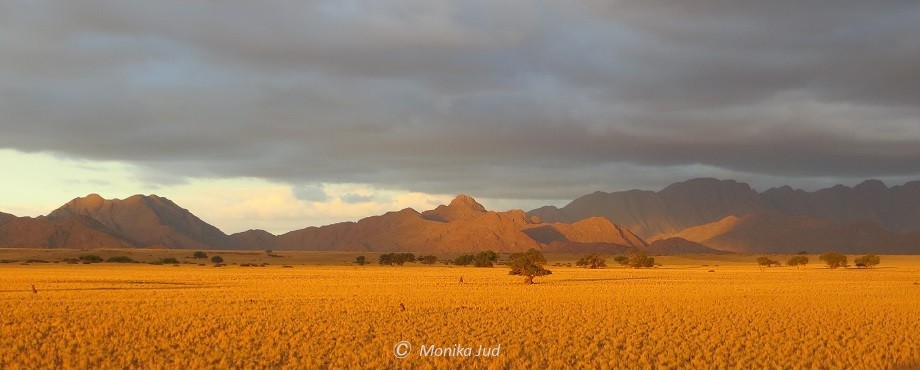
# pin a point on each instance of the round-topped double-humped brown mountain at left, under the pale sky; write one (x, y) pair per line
(146, 220)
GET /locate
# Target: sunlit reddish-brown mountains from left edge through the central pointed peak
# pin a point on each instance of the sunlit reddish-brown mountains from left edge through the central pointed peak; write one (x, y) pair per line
(464, 225)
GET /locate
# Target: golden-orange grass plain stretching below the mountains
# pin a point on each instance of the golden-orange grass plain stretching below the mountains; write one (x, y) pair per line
(322, 312)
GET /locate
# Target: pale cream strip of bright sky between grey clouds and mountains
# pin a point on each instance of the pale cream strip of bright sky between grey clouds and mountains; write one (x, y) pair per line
(231, 204)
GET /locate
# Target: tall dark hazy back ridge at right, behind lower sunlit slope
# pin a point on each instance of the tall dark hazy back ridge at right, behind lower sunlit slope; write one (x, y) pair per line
(702, 201)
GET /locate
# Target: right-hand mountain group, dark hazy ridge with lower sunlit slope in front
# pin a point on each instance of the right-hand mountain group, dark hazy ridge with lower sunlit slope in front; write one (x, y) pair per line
(729, 215)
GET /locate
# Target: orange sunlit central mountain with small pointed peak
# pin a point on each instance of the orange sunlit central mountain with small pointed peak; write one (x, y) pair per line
(459, 227)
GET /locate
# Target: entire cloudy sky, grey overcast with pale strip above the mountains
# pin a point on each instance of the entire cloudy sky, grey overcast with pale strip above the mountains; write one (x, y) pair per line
(285, 114)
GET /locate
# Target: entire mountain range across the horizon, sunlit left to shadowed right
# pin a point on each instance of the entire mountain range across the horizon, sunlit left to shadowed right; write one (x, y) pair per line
(696, 216)
